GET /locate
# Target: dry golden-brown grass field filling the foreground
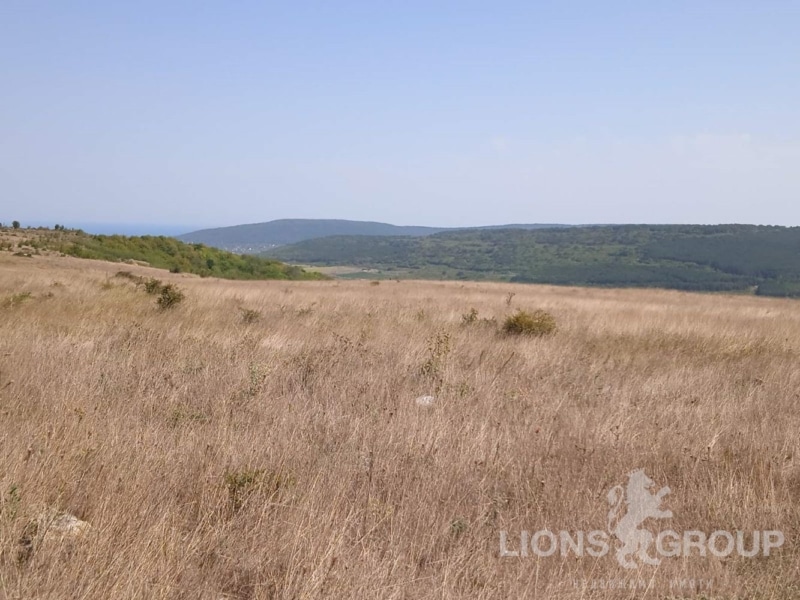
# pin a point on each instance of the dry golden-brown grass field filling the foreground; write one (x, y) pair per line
(262, 439)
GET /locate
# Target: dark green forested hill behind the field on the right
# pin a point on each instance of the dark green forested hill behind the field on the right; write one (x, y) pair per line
(690, 257)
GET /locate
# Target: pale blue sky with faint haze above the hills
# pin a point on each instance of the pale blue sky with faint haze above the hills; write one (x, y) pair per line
(432, 113)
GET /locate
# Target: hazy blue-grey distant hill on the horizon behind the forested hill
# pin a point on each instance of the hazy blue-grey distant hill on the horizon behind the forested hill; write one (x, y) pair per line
(258, 237)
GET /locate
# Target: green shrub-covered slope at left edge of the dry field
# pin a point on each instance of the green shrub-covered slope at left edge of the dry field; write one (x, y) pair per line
(159, 251)
